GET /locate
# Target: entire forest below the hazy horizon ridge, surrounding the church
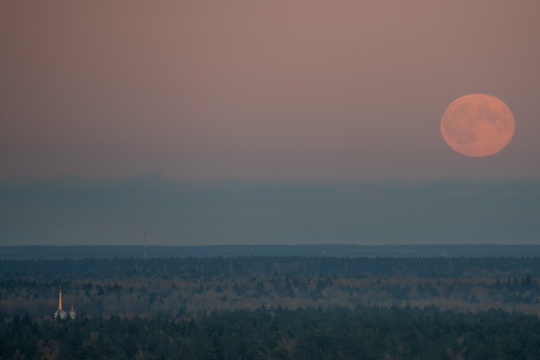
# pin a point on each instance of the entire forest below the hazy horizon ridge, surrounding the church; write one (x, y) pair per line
(272, 307)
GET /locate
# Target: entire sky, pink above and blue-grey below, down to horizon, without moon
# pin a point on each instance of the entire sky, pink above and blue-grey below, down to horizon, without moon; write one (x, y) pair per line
(211, 122)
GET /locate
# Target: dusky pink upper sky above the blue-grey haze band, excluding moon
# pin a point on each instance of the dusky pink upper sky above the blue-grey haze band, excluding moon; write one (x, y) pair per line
(311, 90)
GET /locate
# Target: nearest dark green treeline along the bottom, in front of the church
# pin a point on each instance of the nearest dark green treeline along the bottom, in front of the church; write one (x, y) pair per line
(337, 333)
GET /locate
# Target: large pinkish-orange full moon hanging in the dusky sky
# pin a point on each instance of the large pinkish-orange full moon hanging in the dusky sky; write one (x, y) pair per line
(477, 125)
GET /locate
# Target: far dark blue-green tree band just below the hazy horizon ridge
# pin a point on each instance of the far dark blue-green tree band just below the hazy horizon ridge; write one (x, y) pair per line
(441, 267)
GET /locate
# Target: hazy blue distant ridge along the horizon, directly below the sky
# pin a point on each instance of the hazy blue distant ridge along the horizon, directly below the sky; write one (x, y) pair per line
(329, 250)
